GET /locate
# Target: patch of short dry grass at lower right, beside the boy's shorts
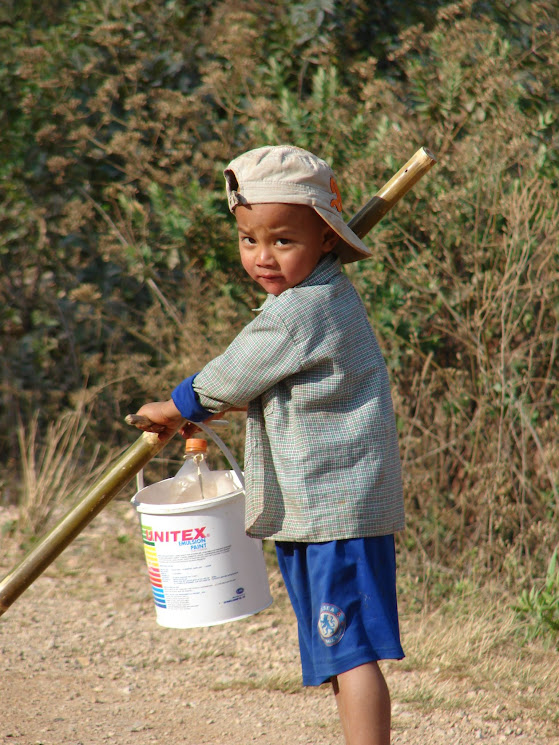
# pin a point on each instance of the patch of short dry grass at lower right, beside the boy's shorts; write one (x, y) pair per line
(470, 654)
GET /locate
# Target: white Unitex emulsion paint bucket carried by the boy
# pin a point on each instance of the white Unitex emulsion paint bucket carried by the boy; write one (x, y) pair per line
(203, 568)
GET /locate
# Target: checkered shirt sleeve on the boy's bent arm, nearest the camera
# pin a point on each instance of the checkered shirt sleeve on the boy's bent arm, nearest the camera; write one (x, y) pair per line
(260, 356)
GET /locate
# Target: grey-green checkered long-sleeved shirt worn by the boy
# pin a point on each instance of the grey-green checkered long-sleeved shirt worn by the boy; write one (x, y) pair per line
(321, 453)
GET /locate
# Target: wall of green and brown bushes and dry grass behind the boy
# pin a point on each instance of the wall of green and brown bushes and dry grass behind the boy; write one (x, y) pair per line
(119, 273)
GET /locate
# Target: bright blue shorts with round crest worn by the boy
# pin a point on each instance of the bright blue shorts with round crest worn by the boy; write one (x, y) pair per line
(344, 596)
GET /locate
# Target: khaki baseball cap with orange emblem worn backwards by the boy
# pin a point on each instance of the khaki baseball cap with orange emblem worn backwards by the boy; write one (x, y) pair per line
(289, 175)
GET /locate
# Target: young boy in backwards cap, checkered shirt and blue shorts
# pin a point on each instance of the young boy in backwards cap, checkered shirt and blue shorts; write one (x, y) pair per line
(322, 463)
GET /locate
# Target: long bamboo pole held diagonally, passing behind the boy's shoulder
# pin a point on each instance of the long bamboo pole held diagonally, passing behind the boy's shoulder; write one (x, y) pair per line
(149, 444)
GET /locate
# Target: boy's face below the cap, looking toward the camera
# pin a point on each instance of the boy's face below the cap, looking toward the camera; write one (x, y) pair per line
(281, 244)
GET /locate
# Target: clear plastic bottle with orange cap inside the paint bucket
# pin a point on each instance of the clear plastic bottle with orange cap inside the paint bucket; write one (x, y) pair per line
(194, 480)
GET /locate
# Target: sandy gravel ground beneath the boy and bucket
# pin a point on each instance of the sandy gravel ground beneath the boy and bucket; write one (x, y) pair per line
(84, 663)
